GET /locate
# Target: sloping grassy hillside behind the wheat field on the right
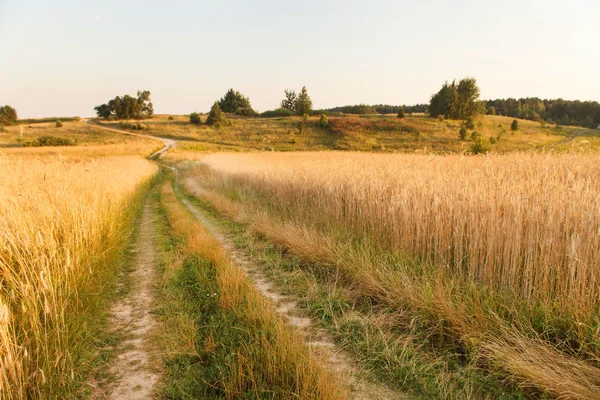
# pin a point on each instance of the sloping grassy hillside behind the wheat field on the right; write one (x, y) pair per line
(381, 133)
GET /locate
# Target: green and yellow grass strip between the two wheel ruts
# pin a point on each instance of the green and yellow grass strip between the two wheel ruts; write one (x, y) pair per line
(248, 347)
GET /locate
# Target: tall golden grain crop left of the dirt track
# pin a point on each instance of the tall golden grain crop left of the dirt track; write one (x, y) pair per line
(61, 222)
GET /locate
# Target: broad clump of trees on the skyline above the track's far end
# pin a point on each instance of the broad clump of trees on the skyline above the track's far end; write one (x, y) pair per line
(127, 107)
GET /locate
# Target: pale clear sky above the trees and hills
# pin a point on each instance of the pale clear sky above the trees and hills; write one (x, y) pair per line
(63, 57)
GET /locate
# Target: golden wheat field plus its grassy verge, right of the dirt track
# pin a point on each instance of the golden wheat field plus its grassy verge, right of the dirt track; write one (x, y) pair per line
(496, 255)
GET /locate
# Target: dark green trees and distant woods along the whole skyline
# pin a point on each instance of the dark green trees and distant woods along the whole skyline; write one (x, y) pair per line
(455, 100)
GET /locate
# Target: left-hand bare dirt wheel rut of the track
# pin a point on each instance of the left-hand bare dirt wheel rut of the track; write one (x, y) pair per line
(136, 367)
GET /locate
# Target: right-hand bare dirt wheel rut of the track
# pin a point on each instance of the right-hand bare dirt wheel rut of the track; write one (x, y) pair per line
(317, 339)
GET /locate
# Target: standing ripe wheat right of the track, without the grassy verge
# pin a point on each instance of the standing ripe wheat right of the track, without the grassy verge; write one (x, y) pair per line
(526, 224)
